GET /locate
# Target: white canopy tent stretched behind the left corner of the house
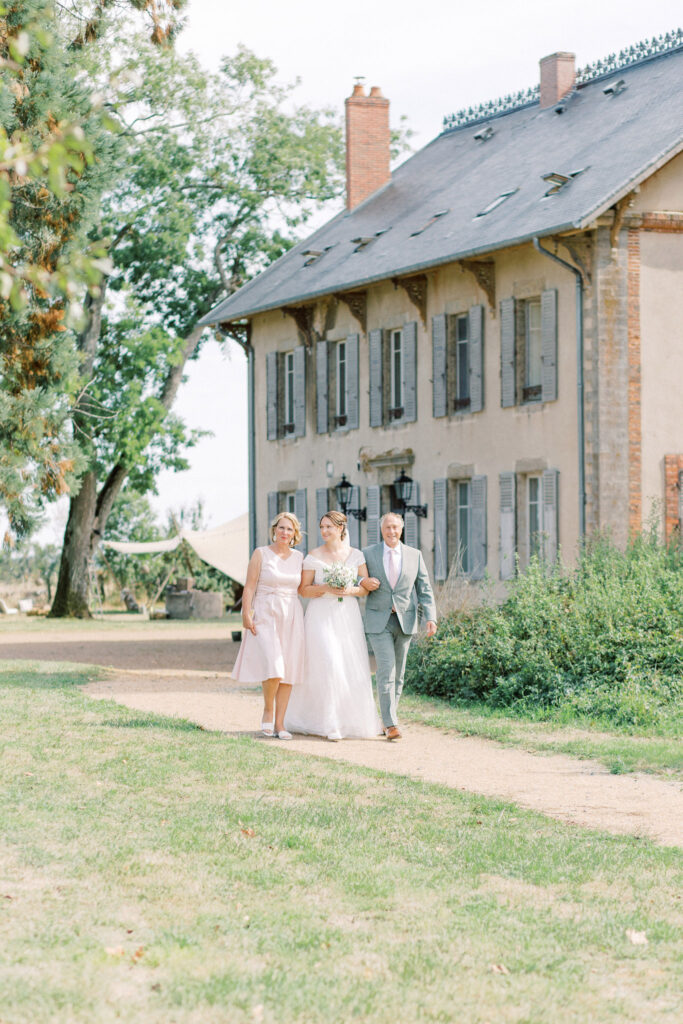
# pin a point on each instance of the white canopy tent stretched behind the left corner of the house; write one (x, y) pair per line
(226, 547)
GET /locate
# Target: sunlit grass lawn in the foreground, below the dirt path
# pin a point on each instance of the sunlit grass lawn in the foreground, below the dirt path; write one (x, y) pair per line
(154, 873)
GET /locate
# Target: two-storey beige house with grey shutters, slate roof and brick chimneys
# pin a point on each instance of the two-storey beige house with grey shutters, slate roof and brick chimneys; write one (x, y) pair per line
(500, 321)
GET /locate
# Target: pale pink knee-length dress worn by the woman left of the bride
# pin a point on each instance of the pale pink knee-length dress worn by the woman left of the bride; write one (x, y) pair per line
(278, 650)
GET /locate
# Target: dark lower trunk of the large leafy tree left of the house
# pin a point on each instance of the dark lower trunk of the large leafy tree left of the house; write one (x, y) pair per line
(71, 599)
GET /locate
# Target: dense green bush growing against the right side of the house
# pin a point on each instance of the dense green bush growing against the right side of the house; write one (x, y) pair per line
(603, 641)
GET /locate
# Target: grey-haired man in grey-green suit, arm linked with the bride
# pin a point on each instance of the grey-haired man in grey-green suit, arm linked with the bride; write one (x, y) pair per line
(398, 583)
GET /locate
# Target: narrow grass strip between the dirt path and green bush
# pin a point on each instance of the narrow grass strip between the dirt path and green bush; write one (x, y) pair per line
(648, 751)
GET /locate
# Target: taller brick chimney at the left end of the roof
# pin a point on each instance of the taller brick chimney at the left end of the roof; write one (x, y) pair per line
(368, 144)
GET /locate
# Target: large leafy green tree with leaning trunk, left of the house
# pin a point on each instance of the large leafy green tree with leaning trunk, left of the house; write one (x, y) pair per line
(219, 173)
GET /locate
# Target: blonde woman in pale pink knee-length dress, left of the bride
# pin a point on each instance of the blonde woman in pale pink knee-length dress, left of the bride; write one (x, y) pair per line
(273, 644)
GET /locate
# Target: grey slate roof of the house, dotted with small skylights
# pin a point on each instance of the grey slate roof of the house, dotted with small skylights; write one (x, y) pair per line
(616, 142)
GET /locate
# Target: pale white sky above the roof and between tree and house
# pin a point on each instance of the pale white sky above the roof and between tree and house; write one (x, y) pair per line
(430, 62)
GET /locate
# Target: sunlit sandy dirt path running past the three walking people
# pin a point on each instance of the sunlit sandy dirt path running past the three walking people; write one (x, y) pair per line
(580, 793)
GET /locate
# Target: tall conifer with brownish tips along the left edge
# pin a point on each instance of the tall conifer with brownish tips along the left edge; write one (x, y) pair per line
(57, 159)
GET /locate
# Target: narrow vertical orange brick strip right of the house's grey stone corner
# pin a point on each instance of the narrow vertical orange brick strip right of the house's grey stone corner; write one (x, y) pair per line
(635, 380)
